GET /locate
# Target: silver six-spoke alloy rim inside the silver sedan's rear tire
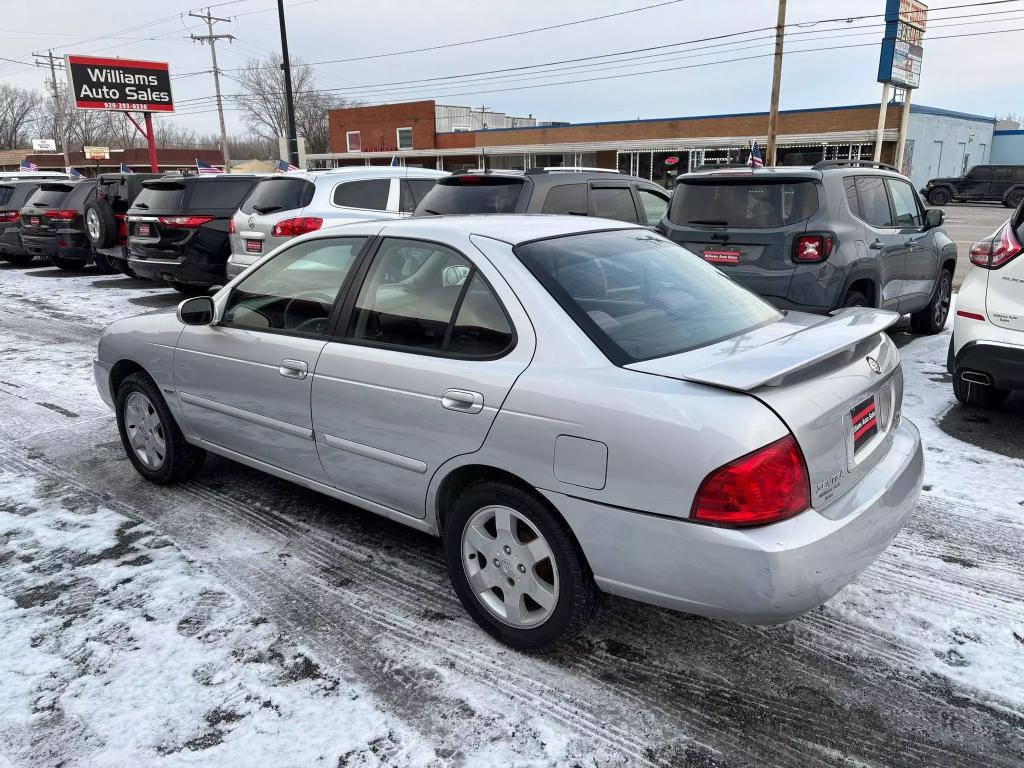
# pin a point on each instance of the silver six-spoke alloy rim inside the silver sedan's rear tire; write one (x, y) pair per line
(510, 567)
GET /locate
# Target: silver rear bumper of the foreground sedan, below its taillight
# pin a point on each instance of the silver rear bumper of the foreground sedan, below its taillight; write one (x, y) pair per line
(754, 576)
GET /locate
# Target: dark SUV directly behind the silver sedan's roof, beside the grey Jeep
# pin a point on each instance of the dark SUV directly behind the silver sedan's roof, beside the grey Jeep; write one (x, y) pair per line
(581, 193)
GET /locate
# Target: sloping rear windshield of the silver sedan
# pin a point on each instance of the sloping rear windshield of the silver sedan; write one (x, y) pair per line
(639, 296)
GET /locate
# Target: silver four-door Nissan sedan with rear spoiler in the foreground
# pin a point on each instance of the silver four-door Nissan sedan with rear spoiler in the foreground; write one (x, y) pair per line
(575, 407)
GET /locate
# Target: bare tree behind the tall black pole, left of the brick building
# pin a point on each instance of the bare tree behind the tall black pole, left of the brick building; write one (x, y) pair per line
(263, 103)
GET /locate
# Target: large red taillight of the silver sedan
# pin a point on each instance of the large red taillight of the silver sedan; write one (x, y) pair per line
(769, 486)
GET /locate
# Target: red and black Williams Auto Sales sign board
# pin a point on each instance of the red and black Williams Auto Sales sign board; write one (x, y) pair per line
(99, 83)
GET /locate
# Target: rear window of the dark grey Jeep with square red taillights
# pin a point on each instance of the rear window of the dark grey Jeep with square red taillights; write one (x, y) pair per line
(744, 204)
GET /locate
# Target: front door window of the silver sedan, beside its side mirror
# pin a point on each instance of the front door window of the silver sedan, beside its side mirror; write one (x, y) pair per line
(296, 290)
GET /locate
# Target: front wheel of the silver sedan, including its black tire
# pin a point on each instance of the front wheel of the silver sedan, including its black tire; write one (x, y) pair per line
(151, 437)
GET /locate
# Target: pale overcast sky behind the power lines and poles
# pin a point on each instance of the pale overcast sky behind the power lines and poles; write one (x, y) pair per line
(980, 74)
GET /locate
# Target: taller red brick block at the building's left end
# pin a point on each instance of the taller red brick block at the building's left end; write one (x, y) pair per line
(378, 125)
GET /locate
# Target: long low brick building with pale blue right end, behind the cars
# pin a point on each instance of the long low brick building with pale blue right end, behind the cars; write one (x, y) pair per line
(938, 140)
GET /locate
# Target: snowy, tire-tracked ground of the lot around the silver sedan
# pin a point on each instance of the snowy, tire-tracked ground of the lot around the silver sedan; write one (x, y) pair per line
(240, 621)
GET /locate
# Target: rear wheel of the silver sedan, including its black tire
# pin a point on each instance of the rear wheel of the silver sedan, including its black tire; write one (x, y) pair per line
(535, 554)
